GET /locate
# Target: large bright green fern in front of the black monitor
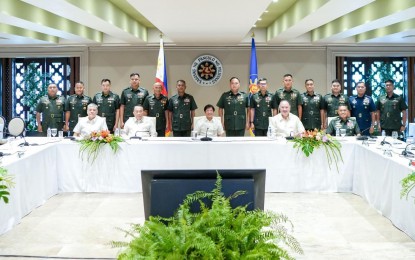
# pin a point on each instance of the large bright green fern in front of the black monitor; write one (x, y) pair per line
(218, 231)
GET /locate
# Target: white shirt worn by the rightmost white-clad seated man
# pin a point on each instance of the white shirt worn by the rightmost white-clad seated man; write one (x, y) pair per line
(284, 127)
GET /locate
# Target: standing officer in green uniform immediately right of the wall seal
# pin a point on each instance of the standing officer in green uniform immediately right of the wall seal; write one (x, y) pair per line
(233, 110)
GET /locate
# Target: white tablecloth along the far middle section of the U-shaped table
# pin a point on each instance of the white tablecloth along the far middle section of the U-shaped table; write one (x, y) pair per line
(287, 170)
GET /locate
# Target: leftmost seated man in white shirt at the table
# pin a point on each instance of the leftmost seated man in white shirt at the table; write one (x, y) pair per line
(91, 123)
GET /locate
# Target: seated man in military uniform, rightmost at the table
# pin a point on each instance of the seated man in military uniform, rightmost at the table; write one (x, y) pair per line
(343, 122)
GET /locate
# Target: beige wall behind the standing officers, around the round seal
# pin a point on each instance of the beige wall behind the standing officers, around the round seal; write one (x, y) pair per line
(117, 63)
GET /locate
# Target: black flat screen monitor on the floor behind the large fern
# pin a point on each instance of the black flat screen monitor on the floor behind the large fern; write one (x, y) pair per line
(165, 190)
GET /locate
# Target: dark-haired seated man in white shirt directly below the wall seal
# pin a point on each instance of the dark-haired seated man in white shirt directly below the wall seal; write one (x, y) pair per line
(211, 125)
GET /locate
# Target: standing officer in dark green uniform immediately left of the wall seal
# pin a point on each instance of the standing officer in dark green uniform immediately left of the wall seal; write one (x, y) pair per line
(181, 108)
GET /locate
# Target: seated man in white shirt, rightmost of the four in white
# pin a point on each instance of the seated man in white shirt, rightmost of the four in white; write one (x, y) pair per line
(284, 123)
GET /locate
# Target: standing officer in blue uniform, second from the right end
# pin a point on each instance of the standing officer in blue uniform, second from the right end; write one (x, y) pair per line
(364, 109)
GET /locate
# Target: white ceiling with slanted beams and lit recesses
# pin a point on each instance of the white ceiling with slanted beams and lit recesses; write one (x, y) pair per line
(206, 23)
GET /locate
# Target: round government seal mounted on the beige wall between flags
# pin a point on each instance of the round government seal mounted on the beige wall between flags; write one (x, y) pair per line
(206, 70)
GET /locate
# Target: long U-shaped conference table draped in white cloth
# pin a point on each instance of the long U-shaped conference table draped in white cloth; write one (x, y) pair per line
(54, 166)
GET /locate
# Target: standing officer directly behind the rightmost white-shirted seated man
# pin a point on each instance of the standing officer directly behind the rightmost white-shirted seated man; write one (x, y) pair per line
(293, 97)
